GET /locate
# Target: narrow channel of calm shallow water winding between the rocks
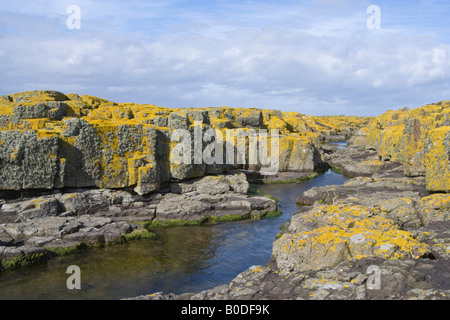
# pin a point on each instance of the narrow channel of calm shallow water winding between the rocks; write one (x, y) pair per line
(181, 259)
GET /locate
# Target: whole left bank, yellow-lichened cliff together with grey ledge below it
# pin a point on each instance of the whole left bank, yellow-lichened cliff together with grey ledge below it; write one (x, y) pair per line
(79, 171)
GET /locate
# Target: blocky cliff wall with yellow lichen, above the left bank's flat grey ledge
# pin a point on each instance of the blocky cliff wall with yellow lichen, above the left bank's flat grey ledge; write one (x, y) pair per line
(53, 140)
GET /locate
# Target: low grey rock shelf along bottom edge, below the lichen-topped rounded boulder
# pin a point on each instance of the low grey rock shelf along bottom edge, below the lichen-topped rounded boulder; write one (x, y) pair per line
(353, 280)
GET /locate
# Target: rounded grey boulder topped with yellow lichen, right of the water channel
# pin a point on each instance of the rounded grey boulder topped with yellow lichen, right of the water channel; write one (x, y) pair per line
(330, 234)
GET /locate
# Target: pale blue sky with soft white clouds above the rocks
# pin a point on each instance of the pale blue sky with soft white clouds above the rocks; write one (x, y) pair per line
(316, 57)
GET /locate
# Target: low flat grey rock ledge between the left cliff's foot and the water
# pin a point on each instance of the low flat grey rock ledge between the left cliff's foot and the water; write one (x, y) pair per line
(33, 229)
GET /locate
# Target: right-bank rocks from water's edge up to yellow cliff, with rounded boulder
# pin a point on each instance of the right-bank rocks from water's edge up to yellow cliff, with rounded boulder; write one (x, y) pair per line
(381, 223)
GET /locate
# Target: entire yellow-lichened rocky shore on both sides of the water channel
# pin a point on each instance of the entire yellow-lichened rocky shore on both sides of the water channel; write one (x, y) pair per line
(80, 171)
